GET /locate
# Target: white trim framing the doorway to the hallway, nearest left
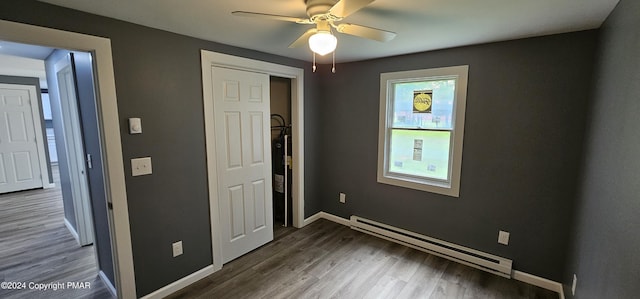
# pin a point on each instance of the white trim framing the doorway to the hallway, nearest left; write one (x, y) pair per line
(110, 126)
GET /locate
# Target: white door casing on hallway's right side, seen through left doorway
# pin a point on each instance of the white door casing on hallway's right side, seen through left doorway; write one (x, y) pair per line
(75, 150)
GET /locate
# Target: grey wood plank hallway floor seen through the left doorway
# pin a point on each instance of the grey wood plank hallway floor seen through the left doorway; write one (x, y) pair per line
(36, 246)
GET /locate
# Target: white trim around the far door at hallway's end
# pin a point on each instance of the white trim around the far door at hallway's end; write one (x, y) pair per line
(37, 127)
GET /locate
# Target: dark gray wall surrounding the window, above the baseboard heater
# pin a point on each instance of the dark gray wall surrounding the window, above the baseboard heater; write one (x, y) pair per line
(526, 108)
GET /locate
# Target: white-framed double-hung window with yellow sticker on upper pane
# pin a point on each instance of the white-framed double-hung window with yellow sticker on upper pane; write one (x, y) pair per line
(421, 129)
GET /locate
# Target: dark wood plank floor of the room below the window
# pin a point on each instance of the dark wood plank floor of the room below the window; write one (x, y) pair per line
(328, 260)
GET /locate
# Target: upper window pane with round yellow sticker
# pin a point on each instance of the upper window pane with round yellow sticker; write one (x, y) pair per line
(432, 108)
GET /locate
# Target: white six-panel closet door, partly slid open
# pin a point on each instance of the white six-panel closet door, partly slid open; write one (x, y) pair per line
(243, 156)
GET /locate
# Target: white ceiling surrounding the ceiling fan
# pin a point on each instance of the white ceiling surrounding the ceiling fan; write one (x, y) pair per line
(421, 25)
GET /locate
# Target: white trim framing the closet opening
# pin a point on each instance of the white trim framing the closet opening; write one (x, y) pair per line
(210, 59)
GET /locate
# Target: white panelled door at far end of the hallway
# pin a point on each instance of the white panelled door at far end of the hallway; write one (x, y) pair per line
(20, 132)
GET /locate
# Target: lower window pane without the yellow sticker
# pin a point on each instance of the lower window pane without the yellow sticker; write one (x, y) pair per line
(420, 153)
